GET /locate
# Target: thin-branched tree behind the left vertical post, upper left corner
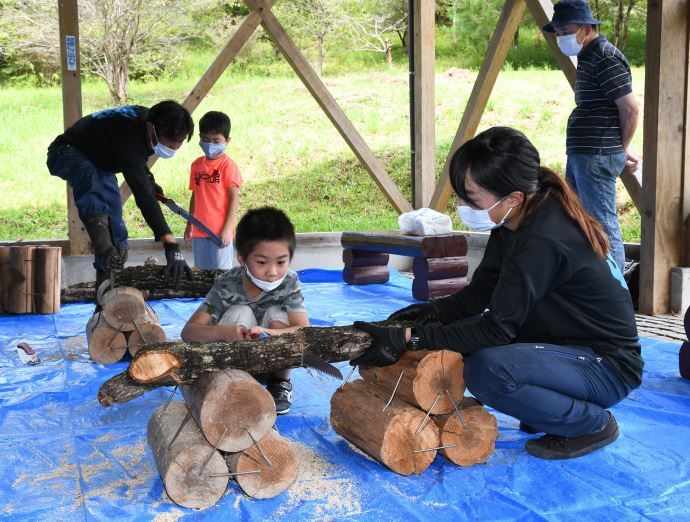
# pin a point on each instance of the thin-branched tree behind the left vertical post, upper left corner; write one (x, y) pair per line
(117, 37)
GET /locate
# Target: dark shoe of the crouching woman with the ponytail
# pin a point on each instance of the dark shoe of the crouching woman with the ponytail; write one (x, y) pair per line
(553, 447)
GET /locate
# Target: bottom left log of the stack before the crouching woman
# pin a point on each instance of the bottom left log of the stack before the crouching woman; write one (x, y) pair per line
(388, 435)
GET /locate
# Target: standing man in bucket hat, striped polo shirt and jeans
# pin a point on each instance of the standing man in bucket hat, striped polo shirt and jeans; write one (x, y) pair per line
(601, 127)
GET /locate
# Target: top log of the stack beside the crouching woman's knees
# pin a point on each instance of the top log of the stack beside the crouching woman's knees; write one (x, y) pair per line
(427, 374)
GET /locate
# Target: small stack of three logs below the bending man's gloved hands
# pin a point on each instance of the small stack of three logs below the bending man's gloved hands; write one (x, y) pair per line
(123, 322)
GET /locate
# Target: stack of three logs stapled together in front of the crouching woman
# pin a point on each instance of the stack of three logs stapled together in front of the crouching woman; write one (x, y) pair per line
(387, 413)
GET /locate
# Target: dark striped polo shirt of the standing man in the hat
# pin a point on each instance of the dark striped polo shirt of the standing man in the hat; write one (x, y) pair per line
(603, 76)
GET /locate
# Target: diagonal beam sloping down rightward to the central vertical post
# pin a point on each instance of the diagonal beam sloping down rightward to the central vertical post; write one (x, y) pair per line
(328, 104)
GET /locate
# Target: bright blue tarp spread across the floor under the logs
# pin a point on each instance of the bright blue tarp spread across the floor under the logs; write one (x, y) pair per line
(64, 457)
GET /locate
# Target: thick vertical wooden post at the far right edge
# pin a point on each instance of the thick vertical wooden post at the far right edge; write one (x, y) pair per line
(666, 65)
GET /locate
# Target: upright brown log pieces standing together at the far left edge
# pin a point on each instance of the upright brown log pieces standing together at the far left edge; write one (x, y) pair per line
(30, 279)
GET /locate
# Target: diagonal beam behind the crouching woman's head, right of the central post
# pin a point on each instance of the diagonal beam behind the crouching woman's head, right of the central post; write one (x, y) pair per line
(496, 54)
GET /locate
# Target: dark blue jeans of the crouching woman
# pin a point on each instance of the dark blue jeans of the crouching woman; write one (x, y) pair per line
(560, 390)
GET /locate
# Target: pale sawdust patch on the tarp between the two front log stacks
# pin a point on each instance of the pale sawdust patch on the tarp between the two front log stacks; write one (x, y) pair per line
(334, 497)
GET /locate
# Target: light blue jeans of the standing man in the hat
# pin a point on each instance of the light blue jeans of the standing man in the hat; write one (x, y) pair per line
(593, 178)
